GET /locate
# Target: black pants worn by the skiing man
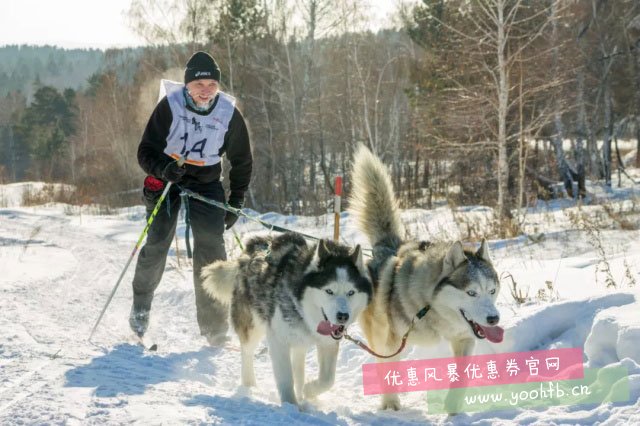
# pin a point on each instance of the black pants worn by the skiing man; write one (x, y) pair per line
(207, 224)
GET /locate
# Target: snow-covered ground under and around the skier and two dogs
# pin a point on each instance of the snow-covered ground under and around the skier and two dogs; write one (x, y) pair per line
(60, 263)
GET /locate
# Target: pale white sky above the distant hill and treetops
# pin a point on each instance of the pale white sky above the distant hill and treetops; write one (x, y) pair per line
(82, 23)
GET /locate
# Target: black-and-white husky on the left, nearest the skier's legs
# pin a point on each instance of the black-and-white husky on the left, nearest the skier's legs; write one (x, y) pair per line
(299, 296)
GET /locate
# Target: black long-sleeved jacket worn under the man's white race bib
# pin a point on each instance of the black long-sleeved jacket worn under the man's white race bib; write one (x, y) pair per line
(236, 147)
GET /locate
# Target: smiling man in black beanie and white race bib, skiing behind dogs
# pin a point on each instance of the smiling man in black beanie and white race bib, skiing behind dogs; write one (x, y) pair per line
(198, 122)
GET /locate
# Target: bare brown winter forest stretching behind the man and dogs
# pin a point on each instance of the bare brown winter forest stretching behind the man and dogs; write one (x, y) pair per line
(495, 103)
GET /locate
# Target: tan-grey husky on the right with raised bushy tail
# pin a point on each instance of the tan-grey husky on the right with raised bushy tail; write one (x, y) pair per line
(458, 288)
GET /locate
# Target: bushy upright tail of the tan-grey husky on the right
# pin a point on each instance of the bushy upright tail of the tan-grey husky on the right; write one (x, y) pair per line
(372, 200)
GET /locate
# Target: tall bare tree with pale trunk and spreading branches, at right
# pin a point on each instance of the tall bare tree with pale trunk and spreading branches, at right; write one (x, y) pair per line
(490, 40)
